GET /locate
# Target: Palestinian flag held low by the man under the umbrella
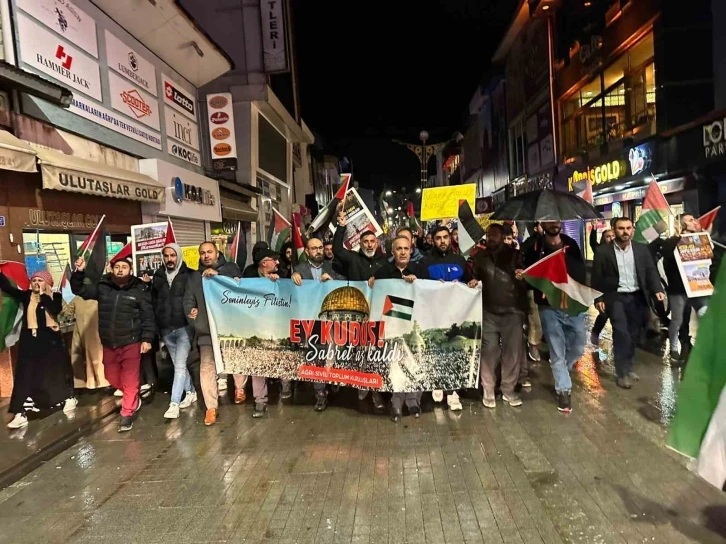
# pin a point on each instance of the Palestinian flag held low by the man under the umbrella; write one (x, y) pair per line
(550, 276)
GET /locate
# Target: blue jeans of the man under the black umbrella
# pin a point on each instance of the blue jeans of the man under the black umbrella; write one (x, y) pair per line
(565, 335)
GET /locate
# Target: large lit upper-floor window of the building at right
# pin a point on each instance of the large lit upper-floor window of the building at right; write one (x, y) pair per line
(616, 102)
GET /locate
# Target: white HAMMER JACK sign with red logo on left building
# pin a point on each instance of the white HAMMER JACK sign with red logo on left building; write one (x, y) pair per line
(45, 52)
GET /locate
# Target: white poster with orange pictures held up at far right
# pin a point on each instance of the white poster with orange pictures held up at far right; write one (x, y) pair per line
(694, 253)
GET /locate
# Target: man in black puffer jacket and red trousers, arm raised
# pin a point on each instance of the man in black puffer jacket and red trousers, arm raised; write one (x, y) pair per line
(125, 325)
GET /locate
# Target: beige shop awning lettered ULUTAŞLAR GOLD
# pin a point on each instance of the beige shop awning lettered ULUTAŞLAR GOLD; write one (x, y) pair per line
(63, 172)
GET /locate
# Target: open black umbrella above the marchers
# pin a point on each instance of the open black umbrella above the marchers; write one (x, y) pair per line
(546, 205)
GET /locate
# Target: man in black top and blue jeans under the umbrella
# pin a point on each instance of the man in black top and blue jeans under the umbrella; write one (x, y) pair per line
(565, 334)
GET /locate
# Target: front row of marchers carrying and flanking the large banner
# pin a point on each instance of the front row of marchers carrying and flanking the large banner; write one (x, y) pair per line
(133, 312)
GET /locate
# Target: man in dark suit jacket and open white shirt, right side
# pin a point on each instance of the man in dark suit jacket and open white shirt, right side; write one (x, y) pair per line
(625, 273)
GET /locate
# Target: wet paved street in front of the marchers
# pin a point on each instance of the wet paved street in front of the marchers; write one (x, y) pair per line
(598, 475)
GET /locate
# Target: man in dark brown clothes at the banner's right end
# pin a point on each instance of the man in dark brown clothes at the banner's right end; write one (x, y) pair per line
(504, 305)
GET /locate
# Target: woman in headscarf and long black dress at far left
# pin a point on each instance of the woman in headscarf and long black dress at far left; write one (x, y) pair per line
(43, 374)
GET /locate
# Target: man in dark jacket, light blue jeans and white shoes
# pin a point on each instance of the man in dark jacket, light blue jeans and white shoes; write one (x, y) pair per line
(167, 296)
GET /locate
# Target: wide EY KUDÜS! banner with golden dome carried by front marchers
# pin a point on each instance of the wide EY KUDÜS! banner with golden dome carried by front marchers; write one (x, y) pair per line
(394, 337)
